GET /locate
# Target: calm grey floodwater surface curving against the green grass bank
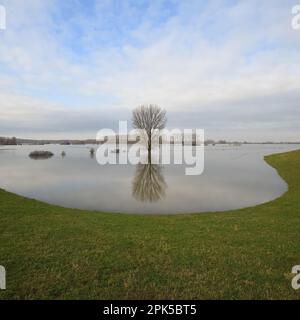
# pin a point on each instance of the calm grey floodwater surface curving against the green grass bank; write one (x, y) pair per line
(234, 177)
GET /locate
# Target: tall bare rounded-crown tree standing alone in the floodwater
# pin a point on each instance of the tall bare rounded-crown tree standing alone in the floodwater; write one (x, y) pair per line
(149, 119)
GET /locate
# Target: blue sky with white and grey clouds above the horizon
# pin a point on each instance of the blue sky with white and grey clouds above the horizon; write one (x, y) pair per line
(70, 68)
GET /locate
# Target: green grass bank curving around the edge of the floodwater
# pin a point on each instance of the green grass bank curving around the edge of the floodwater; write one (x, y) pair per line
(54, 253)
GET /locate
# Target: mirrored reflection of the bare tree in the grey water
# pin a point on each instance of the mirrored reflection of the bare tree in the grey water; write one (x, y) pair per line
(149, 183)
